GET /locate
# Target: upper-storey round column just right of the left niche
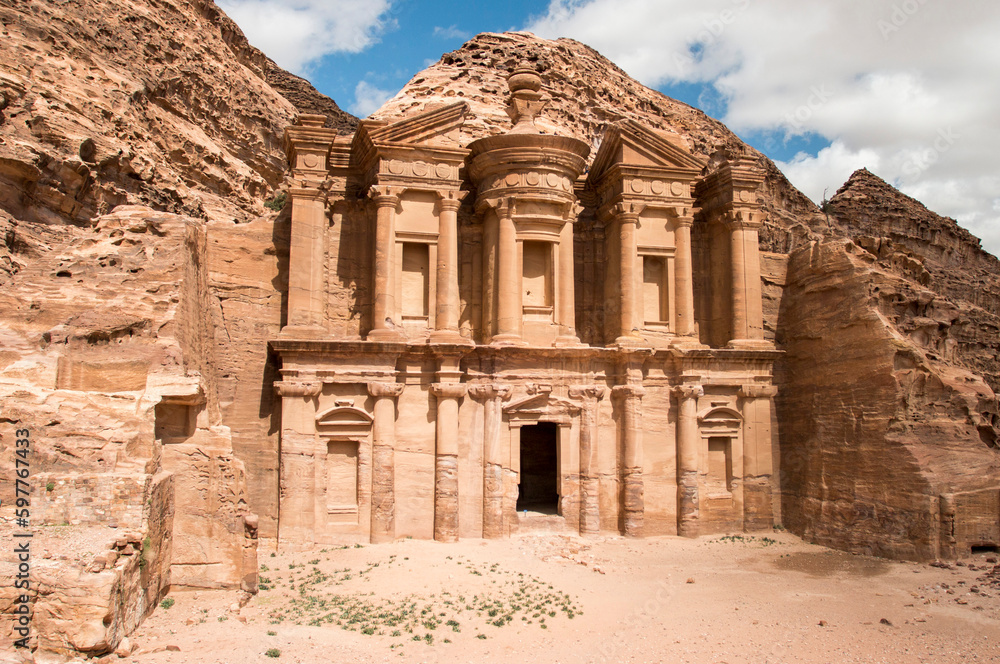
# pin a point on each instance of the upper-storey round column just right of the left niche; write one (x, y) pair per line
(446, 307)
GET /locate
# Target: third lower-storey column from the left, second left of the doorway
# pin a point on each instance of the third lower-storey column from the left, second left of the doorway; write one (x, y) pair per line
(446, 461)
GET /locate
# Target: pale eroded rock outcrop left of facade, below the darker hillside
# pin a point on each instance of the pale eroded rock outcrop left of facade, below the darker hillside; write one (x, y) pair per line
(109, 364)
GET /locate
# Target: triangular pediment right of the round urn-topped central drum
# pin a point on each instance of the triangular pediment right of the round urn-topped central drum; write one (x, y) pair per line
(628, 143)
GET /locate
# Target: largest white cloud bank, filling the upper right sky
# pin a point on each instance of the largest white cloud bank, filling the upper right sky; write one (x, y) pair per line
(883, 80)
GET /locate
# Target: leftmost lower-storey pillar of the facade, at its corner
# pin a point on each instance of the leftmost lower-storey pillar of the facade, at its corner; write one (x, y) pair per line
(297, 490)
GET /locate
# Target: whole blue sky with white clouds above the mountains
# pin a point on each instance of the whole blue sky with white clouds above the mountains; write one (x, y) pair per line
(906, 88)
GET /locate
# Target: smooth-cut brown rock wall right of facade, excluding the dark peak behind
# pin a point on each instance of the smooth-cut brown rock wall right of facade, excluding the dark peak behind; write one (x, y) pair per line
(874, 427)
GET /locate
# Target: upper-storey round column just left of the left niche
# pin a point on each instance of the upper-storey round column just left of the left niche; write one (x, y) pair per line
(384, 315)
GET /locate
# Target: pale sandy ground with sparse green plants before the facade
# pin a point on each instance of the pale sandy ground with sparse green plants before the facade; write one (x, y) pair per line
(548, 598)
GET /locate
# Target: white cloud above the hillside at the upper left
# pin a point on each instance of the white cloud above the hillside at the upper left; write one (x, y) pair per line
(297, 33)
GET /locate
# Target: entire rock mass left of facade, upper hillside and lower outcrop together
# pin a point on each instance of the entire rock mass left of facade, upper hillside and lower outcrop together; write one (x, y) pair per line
(138, 289)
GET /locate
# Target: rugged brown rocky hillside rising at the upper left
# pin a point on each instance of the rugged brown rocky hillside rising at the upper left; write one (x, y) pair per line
(157, 103)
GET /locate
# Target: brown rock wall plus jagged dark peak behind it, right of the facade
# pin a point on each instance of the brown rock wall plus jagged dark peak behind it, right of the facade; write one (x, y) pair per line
(904, 321)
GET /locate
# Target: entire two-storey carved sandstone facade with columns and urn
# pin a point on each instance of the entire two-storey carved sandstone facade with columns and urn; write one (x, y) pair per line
(489, 337)
